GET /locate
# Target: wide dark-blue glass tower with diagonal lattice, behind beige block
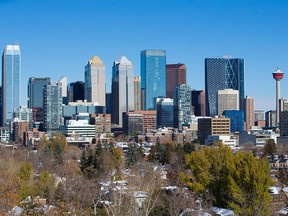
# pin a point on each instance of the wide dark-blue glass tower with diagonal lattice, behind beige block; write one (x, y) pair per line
(222, 73)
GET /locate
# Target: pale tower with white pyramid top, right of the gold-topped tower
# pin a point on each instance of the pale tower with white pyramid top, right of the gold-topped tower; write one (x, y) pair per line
(122, 89)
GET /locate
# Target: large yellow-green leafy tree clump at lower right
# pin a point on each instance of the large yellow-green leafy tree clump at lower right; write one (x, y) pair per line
(238, 181)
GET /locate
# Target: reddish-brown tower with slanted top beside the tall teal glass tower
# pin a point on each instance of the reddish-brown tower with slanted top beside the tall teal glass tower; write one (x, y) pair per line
(175, 75)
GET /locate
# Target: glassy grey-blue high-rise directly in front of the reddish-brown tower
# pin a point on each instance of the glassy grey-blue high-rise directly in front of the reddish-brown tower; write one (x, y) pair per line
(182, 106)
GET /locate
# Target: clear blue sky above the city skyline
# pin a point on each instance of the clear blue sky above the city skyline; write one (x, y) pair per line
(57, 37)
